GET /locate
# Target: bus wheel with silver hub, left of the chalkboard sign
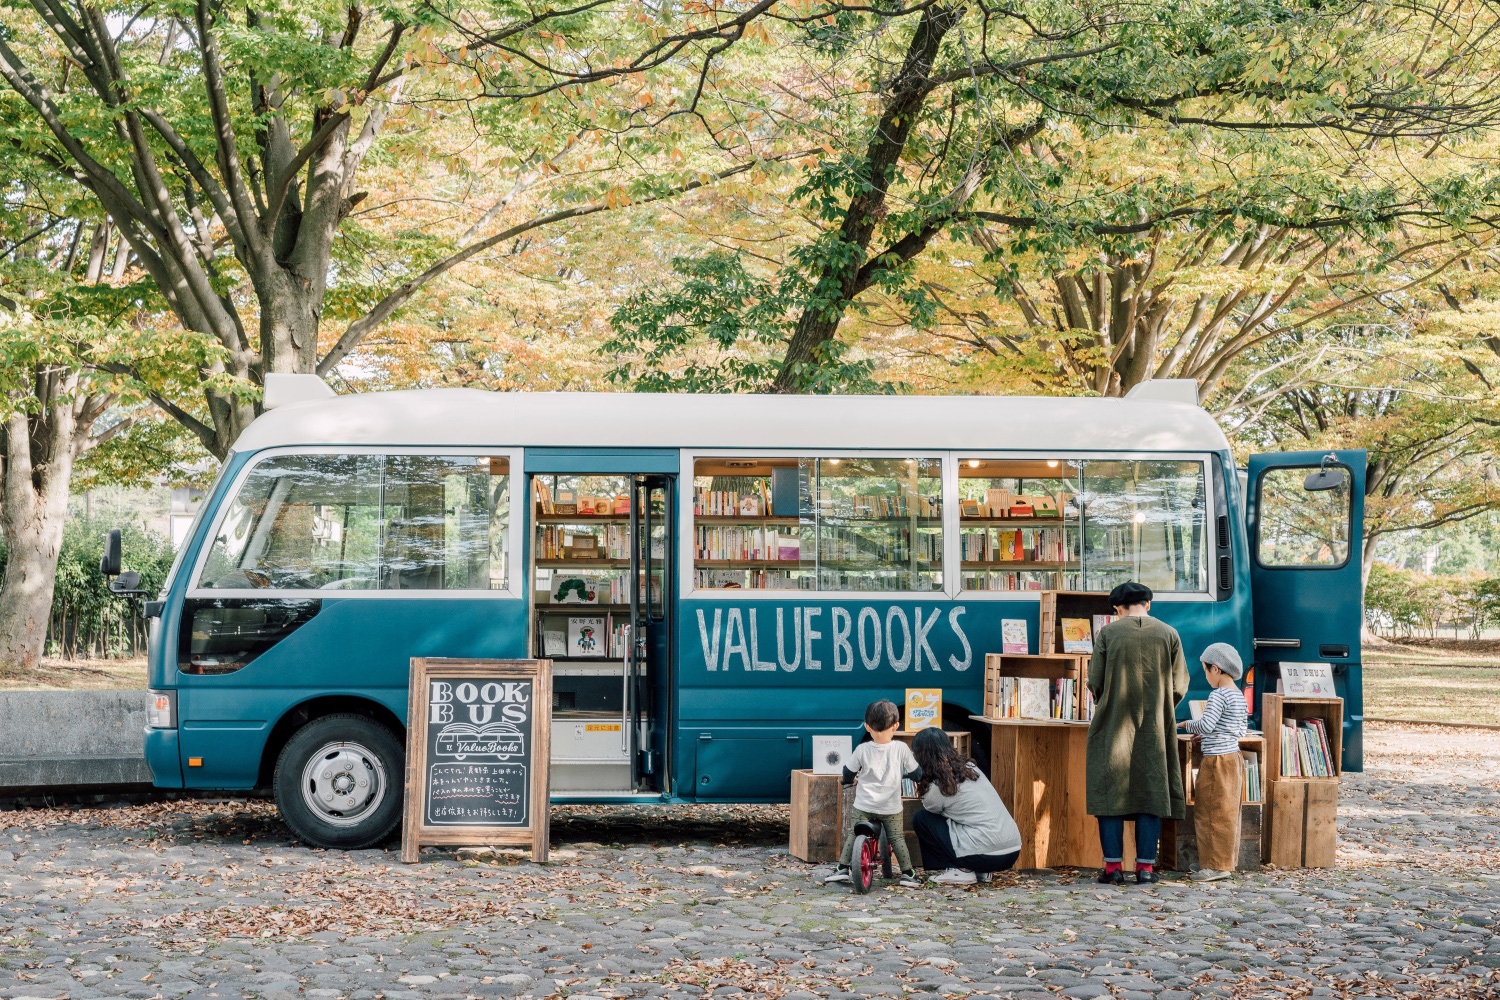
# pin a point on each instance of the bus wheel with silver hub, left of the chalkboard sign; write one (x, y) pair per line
(340, 782)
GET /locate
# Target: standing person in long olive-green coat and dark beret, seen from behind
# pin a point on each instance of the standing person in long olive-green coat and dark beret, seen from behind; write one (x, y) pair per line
(1138, 678)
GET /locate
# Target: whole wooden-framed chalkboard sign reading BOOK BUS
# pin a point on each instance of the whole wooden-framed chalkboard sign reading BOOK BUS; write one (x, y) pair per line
(479, 737)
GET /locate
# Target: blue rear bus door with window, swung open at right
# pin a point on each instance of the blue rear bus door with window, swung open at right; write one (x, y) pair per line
(1306, 518)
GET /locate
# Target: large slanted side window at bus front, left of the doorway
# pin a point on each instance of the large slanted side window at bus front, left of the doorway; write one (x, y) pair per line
(367, 522)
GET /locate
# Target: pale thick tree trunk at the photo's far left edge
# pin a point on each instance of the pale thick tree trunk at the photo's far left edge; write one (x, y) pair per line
(32, 518)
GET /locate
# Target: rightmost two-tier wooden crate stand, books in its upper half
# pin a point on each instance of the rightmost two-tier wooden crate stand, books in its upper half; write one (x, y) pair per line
(1303, 819)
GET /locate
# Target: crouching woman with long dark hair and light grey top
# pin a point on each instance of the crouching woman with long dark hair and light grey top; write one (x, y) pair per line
(964, 828)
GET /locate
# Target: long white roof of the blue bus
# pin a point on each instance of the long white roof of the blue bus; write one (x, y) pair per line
(466, 418)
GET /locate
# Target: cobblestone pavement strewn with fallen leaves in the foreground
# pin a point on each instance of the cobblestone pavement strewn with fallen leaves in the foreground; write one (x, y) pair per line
(214, 900)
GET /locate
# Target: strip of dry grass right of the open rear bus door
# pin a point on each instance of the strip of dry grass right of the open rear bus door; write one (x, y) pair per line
(1448, 693)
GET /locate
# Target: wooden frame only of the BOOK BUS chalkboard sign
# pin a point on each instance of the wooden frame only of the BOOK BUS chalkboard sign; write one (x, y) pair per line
(416, 831)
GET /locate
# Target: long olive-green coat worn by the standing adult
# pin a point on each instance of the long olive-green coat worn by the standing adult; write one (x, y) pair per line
(1138, 677)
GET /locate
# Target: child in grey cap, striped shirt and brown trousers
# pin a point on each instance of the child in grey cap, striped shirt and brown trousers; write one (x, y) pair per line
(1222, 776)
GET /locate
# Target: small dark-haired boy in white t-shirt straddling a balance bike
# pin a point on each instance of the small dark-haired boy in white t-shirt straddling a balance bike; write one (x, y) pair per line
(880, 764)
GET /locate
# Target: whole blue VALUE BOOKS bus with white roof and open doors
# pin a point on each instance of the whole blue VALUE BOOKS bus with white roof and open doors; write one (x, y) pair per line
(718, 579)
